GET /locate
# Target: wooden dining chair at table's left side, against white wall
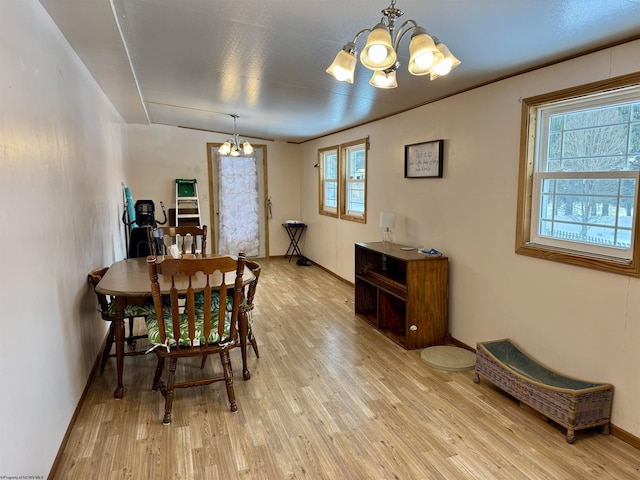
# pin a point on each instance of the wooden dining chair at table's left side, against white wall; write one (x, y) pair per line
(138, 307)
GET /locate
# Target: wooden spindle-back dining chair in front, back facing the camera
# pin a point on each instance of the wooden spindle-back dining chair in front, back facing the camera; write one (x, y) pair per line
(202, 328)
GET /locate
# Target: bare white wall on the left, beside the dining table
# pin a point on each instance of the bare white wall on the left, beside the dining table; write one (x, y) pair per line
(62, 150)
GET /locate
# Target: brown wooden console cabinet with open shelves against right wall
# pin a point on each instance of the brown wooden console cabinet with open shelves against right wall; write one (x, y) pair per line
(404, 294)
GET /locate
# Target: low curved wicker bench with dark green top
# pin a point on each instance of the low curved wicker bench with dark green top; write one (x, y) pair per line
(572, 403)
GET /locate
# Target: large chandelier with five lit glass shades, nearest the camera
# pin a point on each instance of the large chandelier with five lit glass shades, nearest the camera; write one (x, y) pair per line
(427, 55)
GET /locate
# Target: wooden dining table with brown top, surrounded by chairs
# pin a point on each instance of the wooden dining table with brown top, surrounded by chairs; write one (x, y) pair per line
(127, 281)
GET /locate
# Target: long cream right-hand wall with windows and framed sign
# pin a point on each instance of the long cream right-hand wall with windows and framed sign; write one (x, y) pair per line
(581, 322)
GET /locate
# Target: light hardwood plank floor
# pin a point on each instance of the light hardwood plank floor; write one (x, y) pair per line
(330, 398)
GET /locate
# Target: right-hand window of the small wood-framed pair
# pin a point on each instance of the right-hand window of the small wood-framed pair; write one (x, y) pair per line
(353, 187)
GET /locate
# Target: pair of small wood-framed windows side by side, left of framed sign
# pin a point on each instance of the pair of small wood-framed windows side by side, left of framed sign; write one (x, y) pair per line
(343, 181)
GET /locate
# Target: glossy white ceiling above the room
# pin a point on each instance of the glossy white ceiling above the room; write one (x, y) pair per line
(193, 63)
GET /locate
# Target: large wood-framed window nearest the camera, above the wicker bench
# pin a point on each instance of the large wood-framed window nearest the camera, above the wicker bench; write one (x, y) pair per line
(579, 176)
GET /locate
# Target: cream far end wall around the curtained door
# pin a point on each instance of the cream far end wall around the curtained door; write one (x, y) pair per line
(159, 154)
